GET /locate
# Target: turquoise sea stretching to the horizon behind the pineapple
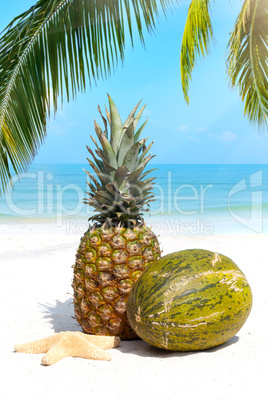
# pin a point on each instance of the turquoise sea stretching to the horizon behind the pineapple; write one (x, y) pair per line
(190, 199)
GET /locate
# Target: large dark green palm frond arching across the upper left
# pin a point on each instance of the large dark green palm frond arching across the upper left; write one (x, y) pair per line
(53, 48)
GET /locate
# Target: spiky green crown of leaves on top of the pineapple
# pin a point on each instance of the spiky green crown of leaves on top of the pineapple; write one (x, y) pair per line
(119, 191)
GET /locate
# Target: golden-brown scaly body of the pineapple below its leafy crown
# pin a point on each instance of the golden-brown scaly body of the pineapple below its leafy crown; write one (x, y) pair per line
(108, 263)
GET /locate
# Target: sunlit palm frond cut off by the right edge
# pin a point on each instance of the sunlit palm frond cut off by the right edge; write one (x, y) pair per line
(247, 60)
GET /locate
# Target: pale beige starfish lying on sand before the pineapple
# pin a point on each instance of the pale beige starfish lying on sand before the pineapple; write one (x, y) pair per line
(66, 344)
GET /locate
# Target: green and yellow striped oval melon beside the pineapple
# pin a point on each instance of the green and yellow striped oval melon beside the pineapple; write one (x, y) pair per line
(189, 300)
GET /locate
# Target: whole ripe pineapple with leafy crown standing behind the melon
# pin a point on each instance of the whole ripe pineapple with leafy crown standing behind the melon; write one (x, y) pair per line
(118, 246)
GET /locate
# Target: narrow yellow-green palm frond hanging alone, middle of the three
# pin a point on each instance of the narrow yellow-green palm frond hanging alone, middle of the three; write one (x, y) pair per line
(196, 39)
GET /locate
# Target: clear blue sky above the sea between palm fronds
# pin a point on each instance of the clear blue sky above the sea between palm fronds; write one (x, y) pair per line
(212, 129)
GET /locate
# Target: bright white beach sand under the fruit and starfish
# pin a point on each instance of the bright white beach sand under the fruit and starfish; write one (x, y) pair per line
(35, 278)
